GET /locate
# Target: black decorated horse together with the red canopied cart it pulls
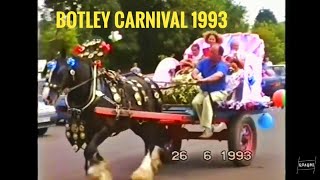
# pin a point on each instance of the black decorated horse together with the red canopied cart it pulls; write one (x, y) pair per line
(103, 103)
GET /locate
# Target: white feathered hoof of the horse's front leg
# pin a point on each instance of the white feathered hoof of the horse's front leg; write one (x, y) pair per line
(100, 171)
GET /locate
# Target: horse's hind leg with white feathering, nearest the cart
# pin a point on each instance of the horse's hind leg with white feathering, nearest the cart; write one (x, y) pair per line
(151, 161)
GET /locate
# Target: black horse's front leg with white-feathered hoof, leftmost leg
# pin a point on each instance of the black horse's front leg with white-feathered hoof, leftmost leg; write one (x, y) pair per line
(98, 168)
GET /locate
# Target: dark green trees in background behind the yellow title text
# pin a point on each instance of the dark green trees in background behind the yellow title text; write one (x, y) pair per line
(145, 45)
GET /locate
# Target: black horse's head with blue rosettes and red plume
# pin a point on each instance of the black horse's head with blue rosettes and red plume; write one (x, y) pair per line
(76, 75)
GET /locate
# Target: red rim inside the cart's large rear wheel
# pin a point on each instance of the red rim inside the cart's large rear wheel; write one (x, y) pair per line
(246, 138)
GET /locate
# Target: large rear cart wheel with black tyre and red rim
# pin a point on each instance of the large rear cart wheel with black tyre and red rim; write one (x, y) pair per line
(242, 140)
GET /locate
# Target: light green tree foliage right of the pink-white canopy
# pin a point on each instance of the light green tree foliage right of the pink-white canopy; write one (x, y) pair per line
(273, 36)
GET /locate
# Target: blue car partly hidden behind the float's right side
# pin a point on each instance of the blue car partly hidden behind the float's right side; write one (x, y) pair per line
(275, 81)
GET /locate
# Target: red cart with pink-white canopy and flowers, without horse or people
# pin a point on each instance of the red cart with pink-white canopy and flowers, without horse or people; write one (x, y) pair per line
(240, 130)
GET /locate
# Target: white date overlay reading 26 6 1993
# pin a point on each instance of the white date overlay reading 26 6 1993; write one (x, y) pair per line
(207, 155)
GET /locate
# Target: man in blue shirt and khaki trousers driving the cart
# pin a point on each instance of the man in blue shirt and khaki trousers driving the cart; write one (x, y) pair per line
(212, 81)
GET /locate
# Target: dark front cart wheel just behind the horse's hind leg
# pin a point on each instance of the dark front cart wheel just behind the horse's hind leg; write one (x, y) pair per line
(169, 148)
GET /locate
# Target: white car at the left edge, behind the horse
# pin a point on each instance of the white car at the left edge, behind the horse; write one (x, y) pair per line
(45, 112)
